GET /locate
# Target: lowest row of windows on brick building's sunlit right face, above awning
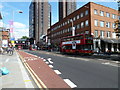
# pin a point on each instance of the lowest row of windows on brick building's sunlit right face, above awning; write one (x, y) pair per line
(103, 34)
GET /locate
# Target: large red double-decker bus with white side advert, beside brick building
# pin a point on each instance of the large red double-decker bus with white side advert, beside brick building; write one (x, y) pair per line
(80, 44)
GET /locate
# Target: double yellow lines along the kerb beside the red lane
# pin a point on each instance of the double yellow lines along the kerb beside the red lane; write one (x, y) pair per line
(37, 80)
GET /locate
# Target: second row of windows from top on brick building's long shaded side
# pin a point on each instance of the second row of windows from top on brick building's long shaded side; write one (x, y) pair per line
(78, 26)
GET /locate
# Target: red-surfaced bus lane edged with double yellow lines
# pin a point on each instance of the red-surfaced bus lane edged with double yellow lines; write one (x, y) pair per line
(43, 75)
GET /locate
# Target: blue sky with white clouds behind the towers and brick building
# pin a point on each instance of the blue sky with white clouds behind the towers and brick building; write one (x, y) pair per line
(10, 11)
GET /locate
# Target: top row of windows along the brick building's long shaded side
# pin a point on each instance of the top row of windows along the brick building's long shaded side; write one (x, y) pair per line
(82, 14)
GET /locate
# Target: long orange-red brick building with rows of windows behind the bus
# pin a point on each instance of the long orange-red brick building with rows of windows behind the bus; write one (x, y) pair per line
(91, 18)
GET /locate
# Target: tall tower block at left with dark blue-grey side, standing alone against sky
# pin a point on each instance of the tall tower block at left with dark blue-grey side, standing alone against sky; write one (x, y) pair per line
(39, 19)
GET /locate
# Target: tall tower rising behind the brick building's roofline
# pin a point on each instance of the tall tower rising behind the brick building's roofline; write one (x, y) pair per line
(66, 8)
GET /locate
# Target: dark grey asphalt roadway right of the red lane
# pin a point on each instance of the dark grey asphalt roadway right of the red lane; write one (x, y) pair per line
(82, 72)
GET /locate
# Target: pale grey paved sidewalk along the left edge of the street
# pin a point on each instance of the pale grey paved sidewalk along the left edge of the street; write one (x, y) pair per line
(18, 76)
